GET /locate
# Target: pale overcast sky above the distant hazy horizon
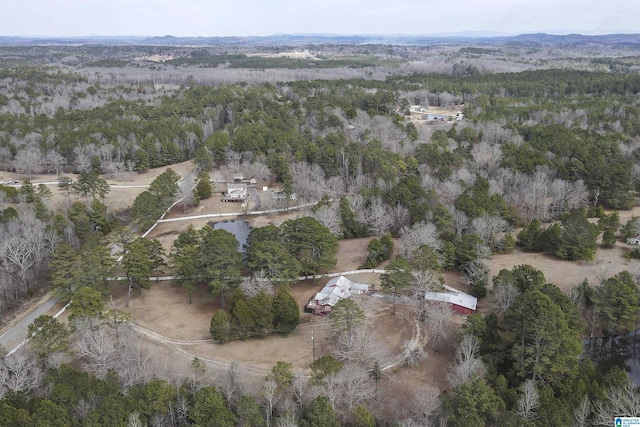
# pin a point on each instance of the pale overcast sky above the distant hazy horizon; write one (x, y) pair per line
(265, 17)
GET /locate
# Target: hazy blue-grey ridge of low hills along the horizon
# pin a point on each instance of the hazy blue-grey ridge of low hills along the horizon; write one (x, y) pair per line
(474, 37)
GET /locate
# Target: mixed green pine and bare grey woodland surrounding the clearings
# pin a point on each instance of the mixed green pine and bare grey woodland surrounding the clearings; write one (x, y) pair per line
(546, 161)
